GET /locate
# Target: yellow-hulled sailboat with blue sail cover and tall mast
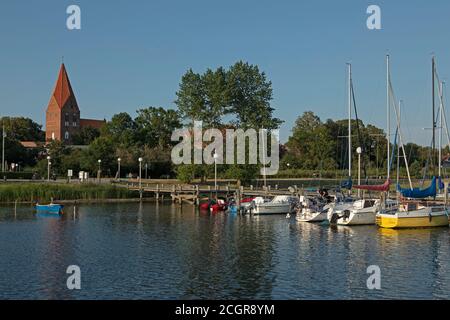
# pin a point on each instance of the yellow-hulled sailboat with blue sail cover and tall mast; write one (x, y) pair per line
(418, 208)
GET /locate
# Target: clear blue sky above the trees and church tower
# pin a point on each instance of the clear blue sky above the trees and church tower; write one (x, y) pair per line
(132, 54)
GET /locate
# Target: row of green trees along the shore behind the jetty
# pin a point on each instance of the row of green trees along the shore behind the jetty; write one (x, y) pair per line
(240, 96)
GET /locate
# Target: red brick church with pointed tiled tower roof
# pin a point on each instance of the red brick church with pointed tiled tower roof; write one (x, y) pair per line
(63, 119)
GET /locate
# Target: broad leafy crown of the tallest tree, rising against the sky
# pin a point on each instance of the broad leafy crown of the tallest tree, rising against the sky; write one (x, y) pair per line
(241, 92)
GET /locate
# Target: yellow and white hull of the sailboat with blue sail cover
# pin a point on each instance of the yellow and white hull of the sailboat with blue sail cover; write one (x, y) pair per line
(412, 220)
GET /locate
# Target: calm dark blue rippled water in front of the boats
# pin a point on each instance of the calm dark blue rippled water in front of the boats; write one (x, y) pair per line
(154, 251)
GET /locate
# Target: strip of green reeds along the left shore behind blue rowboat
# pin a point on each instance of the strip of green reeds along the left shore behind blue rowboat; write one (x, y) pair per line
(42, 192)
